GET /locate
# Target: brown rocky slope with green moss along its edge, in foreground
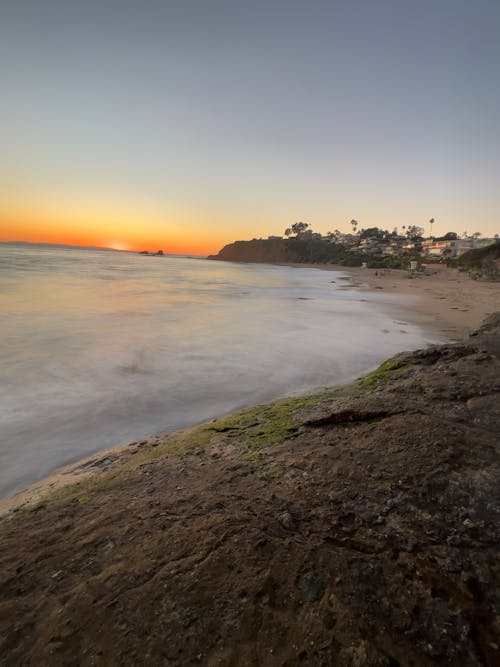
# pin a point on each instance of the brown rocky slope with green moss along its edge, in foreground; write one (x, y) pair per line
(356, 527)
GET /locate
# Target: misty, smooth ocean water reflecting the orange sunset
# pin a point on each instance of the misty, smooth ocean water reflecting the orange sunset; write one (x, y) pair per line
(99, 348)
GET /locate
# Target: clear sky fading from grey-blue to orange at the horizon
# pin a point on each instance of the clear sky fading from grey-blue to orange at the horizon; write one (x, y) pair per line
(185, 125)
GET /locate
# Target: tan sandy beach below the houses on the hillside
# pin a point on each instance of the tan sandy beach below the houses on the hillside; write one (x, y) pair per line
(443, 300)
